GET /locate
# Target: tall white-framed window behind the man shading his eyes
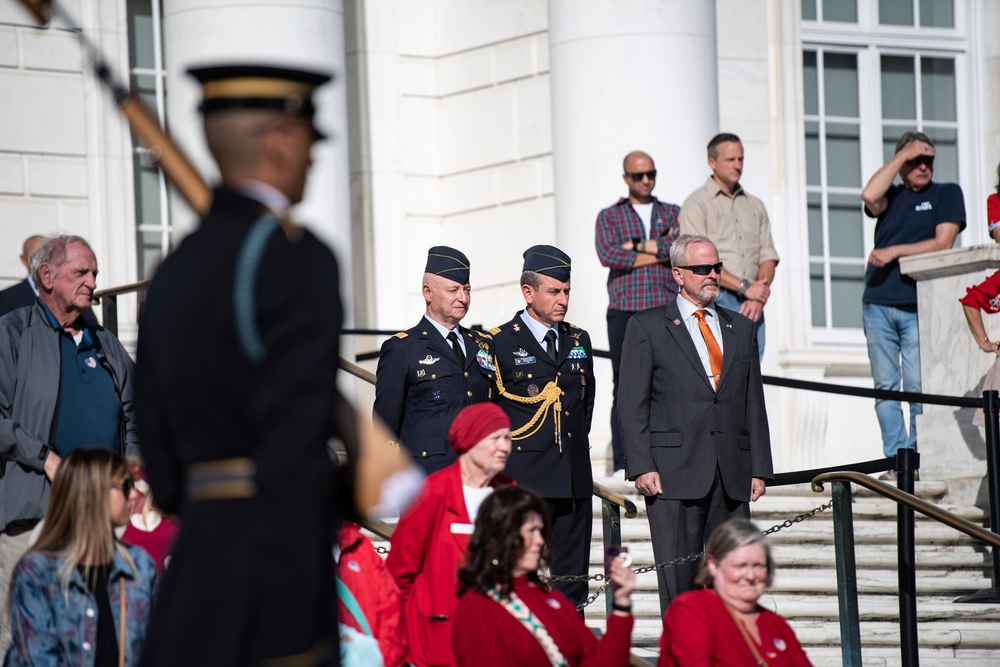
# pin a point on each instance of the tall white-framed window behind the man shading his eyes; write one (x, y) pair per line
(865, 82)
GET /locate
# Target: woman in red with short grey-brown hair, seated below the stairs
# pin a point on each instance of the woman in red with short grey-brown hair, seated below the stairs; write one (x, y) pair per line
(723, 624)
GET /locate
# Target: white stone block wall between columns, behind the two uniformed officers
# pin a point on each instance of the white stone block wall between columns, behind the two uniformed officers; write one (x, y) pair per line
(459, 149)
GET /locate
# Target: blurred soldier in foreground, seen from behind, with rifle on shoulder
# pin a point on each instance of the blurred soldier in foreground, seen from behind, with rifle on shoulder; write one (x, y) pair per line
(238, 348)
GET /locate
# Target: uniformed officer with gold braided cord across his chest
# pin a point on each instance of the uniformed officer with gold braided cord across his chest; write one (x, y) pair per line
(545, 383)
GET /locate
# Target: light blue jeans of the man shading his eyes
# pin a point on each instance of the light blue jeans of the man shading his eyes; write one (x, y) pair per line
(894, 349)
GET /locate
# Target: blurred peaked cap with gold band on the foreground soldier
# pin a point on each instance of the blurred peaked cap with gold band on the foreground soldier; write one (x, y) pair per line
(249, 86)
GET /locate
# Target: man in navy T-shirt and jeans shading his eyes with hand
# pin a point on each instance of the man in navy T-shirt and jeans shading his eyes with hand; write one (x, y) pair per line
(915, 217)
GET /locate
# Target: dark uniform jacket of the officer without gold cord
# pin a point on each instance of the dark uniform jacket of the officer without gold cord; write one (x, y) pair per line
(420, 387)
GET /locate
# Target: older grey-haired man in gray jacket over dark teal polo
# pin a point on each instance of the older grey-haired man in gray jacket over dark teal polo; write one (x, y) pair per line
(64, 384)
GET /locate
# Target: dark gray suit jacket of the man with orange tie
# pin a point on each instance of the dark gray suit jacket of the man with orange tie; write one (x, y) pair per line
(674, 423)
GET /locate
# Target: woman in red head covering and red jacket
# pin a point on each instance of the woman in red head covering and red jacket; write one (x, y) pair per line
(430, 541)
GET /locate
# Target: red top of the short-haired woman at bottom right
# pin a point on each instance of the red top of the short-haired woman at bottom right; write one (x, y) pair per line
(699, 632)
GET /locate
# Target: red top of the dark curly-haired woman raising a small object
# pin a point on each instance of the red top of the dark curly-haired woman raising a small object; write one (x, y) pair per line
(486, 635)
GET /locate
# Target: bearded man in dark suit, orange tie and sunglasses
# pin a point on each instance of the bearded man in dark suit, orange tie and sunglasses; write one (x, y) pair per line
(692, 414)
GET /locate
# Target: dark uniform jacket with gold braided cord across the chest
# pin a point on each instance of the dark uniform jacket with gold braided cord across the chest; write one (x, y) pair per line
(526, 372)
